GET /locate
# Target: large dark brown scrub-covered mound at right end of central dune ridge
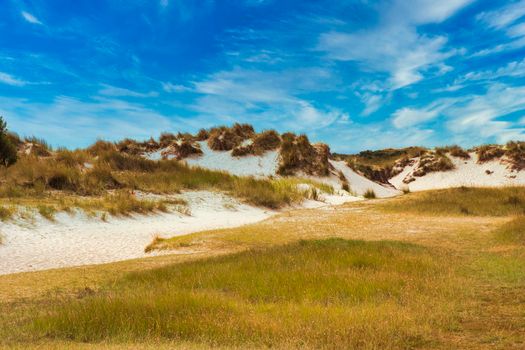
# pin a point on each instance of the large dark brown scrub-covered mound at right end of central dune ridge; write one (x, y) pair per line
(299, 155)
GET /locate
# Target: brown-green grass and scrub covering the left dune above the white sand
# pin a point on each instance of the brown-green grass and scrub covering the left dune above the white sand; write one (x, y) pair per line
(104, 176)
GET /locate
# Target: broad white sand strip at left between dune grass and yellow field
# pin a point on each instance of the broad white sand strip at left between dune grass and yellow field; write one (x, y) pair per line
(77, 240)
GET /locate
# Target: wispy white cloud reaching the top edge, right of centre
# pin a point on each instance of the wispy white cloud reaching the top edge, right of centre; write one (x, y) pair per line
(394, 45)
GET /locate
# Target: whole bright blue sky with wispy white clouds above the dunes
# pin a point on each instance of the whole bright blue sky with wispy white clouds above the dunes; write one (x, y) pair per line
(355, 74)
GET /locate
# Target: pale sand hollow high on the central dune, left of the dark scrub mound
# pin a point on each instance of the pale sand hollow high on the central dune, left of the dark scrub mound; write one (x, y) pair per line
(265, 165)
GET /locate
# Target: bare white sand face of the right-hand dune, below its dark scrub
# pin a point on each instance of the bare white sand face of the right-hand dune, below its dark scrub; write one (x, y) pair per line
(467, 173)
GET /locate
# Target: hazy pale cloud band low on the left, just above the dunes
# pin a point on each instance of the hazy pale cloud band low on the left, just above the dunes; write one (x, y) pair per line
(67, 121)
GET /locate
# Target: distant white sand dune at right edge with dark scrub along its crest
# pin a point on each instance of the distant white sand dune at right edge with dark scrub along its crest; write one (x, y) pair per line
(419, 169)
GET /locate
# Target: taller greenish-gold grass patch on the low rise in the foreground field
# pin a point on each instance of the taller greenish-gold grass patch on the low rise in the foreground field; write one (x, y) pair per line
(307, 294)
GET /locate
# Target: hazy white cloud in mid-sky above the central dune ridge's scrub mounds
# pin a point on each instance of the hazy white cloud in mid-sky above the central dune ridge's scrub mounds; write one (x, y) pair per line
(270, 98)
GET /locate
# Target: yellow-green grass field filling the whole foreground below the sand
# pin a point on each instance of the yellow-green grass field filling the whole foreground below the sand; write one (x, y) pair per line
(368, 275)
